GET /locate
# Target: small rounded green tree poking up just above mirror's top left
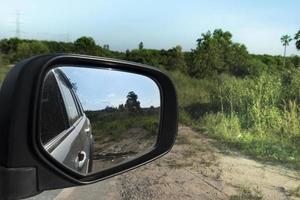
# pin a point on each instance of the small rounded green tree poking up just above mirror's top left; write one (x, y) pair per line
(85, 45)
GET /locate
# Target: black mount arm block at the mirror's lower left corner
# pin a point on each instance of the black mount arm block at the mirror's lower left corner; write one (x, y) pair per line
(18, 183)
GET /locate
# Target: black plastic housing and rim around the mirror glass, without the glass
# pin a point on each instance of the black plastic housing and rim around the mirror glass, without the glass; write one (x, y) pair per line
(25, 170)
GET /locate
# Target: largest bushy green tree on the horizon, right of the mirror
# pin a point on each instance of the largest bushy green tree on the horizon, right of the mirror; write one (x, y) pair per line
(216, 53)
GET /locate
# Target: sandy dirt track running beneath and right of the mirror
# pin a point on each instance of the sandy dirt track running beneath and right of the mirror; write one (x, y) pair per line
(195, 169)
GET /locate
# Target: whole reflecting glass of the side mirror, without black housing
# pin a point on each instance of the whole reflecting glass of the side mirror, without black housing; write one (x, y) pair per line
(91, 119)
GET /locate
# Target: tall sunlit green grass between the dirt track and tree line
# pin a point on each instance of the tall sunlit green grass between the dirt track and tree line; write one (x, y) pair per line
(259, 116)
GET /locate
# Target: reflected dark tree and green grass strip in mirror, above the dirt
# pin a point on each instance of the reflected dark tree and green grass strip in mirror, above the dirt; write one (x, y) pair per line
(114, 122)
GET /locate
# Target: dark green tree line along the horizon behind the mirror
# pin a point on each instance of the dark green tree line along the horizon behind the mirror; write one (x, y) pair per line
(215, 53)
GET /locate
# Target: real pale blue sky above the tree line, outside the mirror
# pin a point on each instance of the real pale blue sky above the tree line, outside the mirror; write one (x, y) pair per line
(158, 23)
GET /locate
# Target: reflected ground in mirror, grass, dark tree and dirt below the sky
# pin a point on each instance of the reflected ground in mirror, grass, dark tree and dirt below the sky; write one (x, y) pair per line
(123, 132)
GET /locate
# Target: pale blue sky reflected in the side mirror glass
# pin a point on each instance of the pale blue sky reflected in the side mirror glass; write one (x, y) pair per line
(98, 88)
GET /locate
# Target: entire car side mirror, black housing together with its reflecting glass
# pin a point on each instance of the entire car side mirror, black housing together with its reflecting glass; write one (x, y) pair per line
(69, 120)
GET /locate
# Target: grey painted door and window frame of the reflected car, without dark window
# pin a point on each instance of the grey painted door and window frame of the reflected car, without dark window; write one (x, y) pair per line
(73, 146)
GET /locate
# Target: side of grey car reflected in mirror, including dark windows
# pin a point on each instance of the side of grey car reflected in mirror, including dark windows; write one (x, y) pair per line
(65, 130)
